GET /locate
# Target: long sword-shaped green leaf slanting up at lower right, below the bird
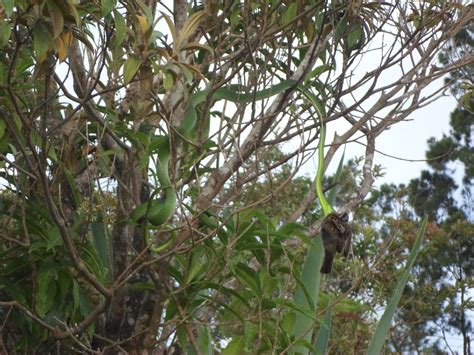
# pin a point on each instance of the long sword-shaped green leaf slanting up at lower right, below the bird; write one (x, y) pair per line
(378, 340)
